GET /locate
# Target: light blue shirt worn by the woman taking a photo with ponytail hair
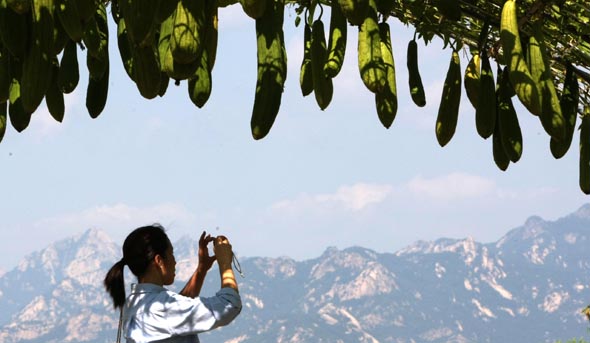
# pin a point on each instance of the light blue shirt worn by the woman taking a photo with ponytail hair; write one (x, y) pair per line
(154, 314)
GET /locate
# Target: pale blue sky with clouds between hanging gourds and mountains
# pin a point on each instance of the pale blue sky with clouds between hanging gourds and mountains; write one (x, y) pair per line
(332, 178)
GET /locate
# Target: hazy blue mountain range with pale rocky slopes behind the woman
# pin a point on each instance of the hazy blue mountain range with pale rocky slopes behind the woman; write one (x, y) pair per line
(529, 286)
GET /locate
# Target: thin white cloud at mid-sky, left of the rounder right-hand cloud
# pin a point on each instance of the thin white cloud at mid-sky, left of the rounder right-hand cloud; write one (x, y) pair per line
(351, 198)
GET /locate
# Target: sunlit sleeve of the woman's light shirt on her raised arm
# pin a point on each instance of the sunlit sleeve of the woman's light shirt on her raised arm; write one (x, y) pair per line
(186, 316)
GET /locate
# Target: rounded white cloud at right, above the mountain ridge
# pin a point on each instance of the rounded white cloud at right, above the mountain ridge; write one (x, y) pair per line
(451, 187)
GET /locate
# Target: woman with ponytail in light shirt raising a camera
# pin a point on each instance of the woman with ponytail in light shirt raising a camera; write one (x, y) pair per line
(151, 312)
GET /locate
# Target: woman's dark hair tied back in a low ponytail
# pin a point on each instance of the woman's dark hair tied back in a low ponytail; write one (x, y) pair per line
(139, 249)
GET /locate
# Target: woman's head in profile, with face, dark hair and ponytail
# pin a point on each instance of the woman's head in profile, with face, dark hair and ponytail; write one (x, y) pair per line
(144, 248)
